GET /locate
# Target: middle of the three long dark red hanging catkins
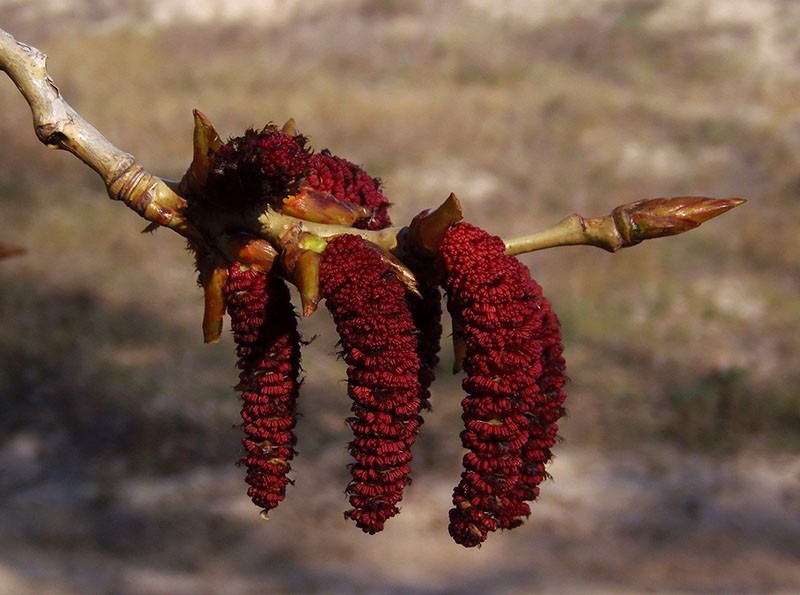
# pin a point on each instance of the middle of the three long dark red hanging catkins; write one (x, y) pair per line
(379, 340)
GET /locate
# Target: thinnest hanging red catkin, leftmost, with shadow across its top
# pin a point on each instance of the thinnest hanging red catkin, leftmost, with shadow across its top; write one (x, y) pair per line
(264, 328)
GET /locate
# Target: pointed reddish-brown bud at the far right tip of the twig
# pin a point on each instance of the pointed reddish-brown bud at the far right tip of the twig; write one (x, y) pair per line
(659, 217)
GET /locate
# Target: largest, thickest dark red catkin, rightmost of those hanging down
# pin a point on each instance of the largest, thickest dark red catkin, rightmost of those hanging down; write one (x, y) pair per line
(515, 373)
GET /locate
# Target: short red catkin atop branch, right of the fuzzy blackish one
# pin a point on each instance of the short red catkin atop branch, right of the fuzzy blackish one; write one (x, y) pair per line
(348, 182)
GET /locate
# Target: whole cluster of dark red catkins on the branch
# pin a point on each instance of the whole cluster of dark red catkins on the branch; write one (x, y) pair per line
(389, 337)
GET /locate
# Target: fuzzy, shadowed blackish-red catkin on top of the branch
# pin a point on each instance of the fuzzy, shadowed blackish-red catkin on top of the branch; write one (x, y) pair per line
(260, 166)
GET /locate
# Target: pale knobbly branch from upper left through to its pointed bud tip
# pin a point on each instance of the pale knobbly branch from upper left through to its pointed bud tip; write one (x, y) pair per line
(162, 202)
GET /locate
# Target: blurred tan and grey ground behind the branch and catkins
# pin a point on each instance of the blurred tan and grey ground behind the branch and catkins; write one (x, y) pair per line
(678, 471)
